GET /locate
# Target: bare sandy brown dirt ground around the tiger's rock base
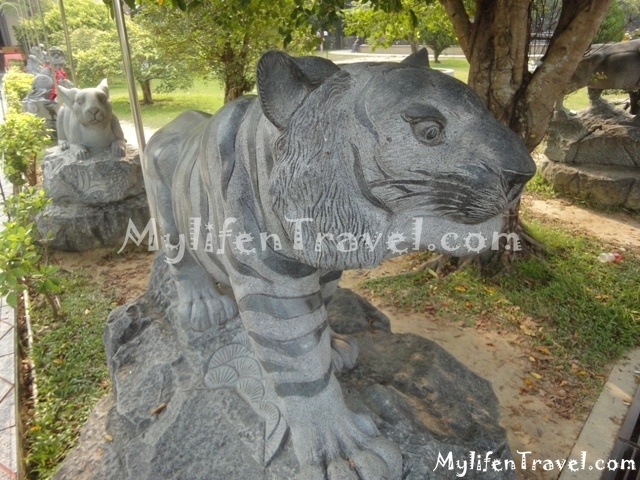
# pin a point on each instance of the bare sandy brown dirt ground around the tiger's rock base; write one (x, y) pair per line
(501, 357)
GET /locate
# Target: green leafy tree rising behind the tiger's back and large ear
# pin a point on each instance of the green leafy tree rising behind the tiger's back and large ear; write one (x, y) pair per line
(225, 39)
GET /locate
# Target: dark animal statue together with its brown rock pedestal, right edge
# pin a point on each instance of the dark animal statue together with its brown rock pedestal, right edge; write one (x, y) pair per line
(595, 154)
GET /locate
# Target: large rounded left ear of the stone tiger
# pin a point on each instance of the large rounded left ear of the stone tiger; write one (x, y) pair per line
(284, 83)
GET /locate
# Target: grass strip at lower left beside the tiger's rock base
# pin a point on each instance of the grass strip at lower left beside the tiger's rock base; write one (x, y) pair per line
(68, 354)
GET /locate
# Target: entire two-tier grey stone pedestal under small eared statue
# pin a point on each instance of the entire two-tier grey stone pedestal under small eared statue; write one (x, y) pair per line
(93, 200)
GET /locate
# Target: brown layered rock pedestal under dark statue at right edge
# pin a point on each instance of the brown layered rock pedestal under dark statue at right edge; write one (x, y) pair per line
(595, 154)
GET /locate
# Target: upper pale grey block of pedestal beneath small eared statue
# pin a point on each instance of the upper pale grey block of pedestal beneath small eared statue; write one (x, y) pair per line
(98, 180)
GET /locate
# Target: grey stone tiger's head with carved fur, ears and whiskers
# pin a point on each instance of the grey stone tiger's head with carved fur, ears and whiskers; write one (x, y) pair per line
(366, 149)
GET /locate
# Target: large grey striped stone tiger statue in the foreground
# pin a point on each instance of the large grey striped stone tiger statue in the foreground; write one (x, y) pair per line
(326, 169)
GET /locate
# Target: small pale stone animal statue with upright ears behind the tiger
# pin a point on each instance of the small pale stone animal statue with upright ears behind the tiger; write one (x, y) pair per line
(86, 122)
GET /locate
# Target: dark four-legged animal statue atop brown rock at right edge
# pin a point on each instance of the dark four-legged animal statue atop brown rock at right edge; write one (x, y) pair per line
(609, 66)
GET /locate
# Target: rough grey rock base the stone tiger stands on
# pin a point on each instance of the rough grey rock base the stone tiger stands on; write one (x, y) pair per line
(197, 407)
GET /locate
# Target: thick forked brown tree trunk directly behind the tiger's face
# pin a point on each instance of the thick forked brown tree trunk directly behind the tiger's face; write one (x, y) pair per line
(496, 45)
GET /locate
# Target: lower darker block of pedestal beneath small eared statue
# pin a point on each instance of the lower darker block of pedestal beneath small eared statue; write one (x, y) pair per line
(76, 227)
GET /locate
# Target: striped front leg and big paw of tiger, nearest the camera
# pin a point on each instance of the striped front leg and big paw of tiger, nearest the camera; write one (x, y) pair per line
(292, 338)
